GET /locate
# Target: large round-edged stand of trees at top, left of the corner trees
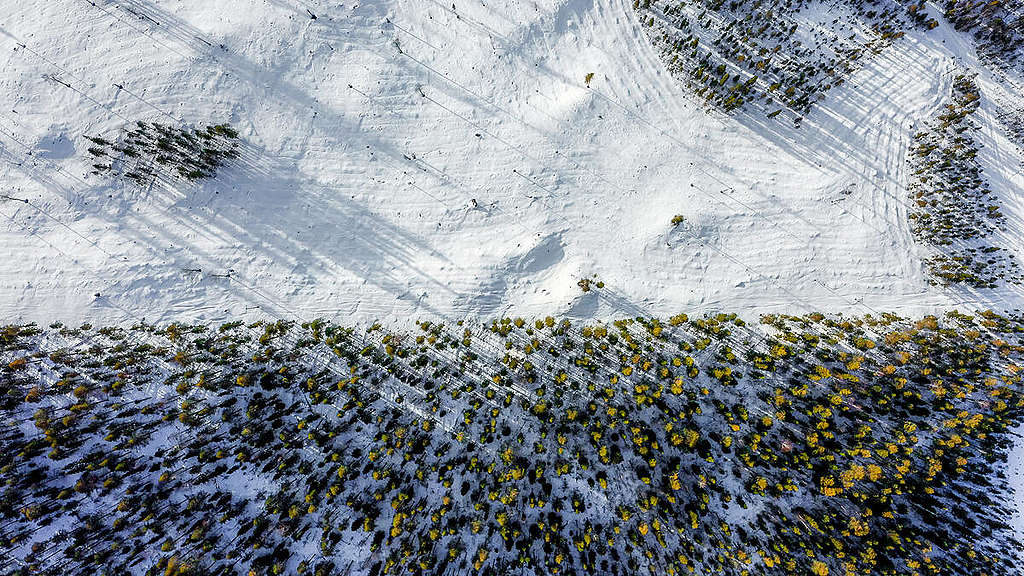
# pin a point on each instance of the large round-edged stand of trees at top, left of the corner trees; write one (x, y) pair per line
(735, 54)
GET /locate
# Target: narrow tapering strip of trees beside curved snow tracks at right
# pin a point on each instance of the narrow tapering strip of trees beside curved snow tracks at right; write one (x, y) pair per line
(956, 213)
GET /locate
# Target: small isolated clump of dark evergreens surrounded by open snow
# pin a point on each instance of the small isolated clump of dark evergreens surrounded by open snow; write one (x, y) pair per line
(152, 150)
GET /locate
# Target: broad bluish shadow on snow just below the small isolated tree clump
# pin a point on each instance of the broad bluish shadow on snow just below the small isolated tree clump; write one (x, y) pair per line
(258, 224)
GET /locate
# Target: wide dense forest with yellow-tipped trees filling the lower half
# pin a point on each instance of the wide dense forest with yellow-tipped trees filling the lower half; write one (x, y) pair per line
(824, 445)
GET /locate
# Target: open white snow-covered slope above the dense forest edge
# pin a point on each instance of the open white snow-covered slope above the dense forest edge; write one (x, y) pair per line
(408, 159)
